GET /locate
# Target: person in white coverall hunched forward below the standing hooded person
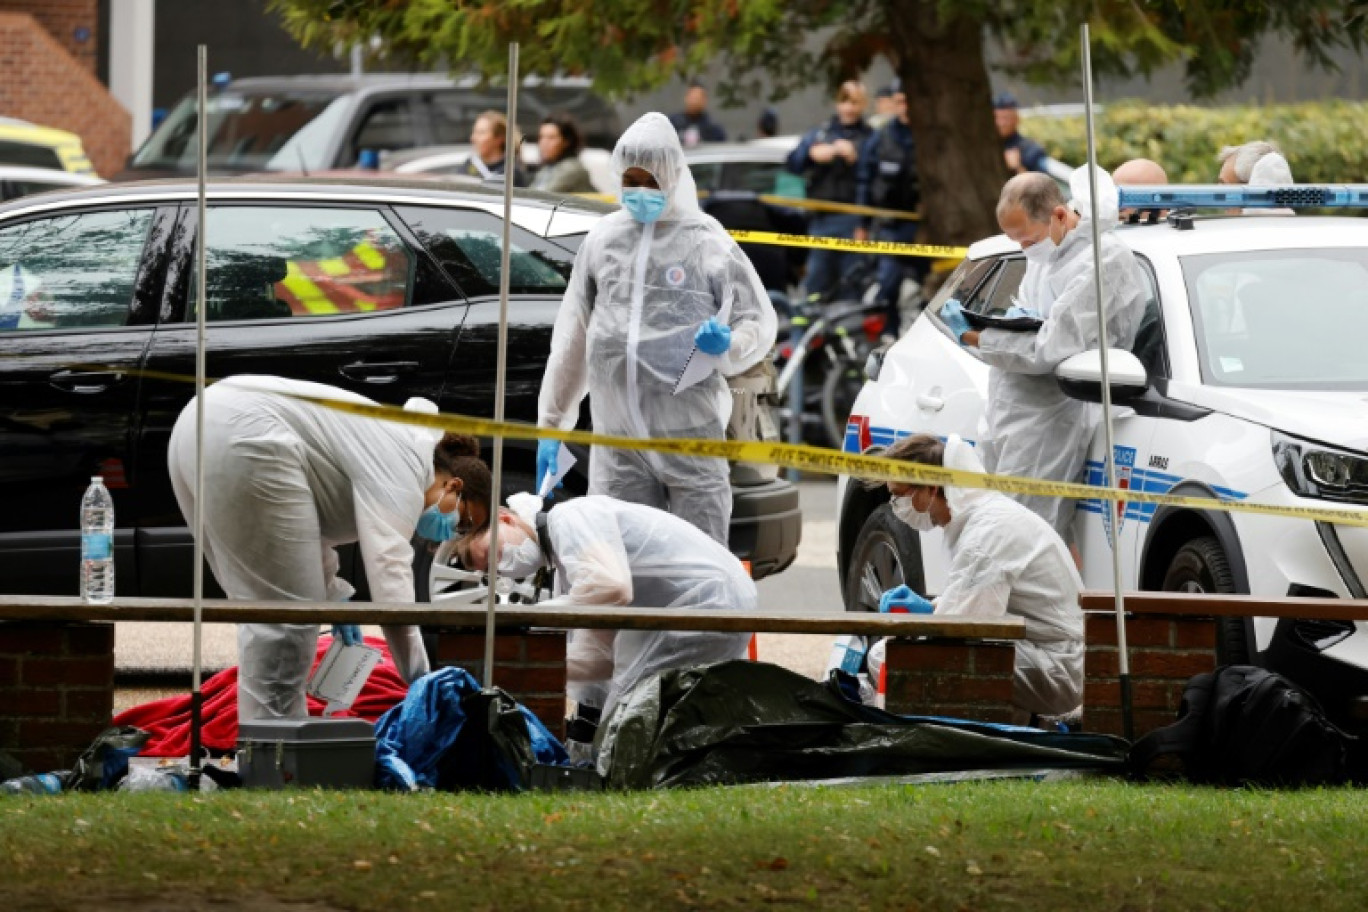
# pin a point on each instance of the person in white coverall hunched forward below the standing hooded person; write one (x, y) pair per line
(611, 553)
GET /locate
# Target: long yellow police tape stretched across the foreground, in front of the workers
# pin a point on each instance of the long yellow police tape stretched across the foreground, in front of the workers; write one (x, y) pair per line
(790, 456)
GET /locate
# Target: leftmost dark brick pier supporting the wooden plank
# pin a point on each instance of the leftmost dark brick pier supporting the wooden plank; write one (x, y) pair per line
(57, 690)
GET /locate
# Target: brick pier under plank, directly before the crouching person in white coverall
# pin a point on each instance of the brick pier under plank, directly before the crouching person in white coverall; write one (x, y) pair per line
(965, 680)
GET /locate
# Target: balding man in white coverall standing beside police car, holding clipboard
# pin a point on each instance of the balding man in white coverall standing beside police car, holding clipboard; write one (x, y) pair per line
(1032, 429)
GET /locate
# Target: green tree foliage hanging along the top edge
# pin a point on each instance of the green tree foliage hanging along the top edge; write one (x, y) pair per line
(630, 46)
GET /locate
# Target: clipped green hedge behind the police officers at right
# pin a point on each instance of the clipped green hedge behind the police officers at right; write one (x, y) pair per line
(1324, 142)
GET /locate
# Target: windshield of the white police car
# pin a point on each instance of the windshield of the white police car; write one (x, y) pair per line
(1281, 319)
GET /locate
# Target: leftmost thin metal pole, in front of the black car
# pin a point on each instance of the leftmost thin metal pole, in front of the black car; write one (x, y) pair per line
(196, 695)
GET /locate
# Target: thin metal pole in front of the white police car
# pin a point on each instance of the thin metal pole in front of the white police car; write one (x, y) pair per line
(1114, 507)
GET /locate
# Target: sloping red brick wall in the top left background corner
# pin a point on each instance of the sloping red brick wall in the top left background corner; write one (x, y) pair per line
(40, 81)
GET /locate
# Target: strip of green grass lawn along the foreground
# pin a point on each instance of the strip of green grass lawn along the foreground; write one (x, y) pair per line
(982, 846)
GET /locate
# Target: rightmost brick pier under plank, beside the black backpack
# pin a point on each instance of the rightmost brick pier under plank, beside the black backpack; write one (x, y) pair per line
(1165, 653)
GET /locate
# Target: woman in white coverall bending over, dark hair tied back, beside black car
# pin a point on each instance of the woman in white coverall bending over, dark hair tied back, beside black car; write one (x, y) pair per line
(285, 482)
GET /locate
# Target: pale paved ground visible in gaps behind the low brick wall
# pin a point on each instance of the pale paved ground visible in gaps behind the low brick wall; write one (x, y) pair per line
(809, 586)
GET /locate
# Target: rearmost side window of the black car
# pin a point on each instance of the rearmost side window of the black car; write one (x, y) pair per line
(467, 243)
